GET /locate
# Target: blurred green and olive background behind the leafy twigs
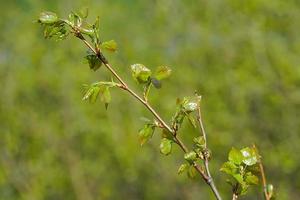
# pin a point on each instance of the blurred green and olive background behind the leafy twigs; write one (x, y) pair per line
(241, 56)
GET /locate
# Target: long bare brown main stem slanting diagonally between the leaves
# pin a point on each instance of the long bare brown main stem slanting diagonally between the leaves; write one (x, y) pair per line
(124, 86)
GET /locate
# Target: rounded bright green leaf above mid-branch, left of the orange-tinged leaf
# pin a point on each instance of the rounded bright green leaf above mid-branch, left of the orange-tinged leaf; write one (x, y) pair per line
(140, 73)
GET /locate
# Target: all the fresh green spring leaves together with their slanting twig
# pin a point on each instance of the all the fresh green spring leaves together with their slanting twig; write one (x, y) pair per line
(242, 165)
